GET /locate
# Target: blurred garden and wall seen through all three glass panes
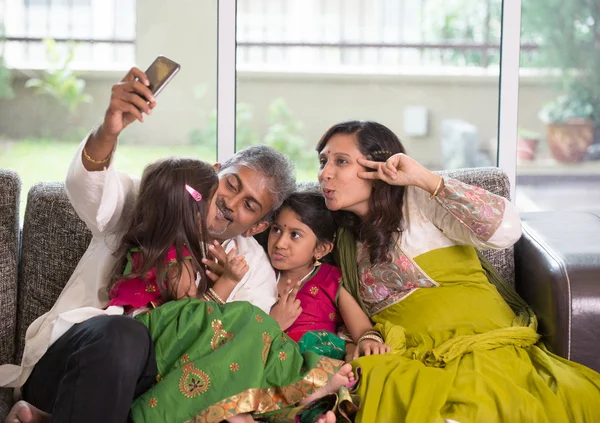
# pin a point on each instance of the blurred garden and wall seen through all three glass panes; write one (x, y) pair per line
(428, 69)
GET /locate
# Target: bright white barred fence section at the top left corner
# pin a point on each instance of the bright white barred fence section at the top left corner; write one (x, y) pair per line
(104, 32)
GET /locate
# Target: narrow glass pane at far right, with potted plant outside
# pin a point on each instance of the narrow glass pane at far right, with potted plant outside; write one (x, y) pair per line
(559, 111)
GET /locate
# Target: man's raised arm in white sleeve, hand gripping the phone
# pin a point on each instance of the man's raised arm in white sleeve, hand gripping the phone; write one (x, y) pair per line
(96, 190)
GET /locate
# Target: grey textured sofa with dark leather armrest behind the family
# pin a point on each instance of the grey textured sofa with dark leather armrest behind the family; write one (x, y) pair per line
(555, 266)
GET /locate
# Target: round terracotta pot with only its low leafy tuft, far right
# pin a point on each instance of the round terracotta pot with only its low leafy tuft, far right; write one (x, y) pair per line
(570, 127)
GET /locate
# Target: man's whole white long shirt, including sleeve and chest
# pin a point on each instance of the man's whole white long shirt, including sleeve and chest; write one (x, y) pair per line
(102, 200)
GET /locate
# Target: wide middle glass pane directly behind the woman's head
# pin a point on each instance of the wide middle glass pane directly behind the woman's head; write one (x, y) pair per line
(429, 70)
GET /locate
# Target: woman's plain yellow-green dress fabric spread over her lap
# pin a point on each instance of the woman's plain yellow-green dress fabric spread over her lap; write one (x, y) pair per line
(461, 353)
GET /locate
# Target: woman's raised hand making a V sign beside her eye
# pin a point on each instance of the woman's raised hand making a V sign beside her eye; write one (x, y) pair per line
(400, 170)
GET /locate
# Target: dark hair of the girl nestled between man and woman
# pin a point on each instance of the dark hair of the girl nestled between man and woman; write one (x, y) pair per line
(310, 207)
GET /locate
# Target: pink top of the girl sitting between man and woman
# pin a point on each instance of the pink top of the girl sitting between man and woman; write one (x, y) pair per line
(318, 298)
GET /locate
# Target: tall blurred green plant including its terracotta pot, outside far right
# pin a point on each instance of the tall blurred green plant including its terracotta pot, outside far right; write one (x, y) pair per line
(569, 36)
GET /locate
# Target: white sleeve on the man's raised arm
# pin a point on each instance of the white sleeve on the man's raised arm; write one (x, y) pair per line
(99, 197)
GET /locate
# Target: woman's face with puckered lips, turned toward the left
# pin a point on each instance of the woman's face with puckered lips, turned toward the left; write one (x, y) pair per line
(338, 176)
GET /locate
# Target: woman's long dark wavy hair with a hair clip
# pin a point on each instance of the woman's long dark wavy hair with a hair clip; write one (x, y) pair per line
(383, 223)
